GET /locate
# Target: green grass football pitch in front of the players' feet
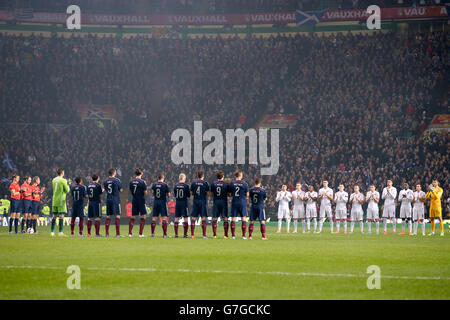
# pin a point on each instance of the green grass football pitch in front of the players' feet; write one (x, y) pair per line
(288, 266)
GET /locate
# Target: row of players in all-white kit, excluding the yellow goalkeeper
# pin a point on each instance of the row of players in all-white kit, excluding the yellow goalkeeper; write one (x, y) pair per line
(412, 208)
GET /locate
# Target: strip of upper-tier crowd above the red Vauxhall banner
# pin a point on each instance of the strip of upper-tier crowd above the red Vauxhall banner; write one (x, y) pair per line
(208, 6)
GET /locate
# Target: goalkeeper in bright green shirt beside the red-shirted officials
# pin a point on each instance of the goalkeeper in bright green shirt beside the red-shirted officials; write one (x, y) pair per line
(59, 206)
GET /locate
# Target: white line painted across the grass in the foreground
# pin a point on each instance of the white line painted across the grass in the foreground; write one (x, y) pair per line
(278, 273)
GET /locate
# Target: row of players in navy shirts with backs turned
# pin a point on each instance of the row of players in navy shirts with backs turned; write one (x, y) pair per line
(199, 190)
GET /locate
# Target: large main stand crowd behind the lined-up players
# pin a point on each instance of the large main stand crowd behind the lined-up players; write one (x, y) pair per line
(362, 103)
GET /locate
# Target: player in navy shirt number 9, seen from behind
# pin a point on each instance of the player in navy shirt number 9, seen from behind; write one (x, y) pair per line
(220, 190)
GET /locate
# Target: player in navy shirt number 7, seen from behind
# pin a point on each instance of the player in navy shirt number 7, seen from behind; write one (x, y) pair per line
(138, 189)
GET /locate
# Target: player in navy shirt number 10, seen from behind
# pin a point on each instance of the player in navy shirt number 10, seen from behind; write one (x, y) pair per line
(182, 194)
